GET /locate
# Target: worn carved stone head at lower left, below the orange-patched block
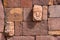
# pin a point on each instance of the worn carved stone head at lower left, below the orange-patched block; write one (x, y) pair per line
(9, 29)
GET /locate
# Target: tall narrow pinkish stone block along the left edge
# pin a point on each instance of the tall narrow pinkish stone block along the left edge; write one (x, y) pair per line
(1, 17)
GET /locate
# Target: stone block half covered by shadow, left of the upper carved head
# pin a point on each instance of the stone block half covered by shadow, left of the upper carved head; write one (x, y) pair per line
(28, 15)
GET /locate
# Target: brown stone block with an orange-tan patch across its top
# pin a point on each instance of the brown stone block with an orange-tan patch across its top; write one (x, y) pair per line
(14, 14)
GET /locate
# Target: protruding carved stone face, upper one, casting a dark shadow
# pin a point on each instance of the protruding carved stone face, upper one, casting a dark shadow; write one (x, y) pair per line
(37, 13)
